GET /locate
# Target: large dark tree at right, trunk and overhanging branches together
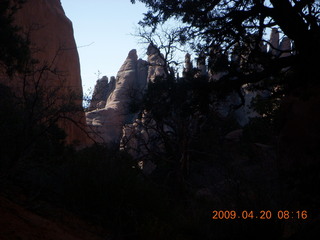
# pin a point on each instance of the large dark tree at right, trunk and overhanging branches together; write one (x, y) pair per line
(239, 26)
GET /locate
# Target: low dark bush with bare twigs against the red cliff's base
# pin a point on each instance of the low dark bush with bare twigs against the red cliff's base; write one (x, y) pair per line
(31, 112)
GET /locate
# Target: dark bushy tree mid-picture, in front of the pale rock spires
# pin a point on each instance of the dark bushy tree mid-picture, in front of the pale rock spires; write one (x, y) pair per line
(173, 114)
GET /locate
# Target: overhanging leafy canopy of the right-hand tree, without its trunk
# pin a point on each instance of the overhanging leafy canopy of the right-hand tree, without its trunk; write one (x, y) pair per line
(242, 24)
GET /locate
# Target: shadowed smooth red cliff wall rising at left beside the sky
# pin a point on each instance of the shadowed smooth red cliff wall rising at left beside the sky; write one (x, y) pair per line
(57, 69)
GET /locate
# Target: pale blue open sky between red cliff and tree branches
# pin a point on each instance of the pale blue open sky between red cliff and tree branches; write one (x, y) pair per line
(102, 30)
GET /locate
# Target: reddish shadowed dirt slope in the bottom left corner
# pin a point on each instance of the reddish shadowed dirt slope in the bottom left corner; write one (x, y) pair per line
(19, 223)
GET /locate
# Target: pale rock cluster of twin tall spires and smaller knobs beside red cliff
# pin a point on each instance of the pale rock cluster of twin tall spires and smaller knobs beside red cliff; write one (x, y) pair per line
(106, 122)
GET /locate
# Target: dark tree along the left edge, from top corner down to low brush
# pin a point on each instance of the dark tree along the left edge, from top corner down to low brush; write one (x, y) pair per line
(33, 108)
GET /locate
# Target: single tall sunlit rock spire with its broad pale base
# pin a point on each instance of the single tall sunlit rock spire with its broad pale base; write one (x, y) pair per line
(106, 123)
